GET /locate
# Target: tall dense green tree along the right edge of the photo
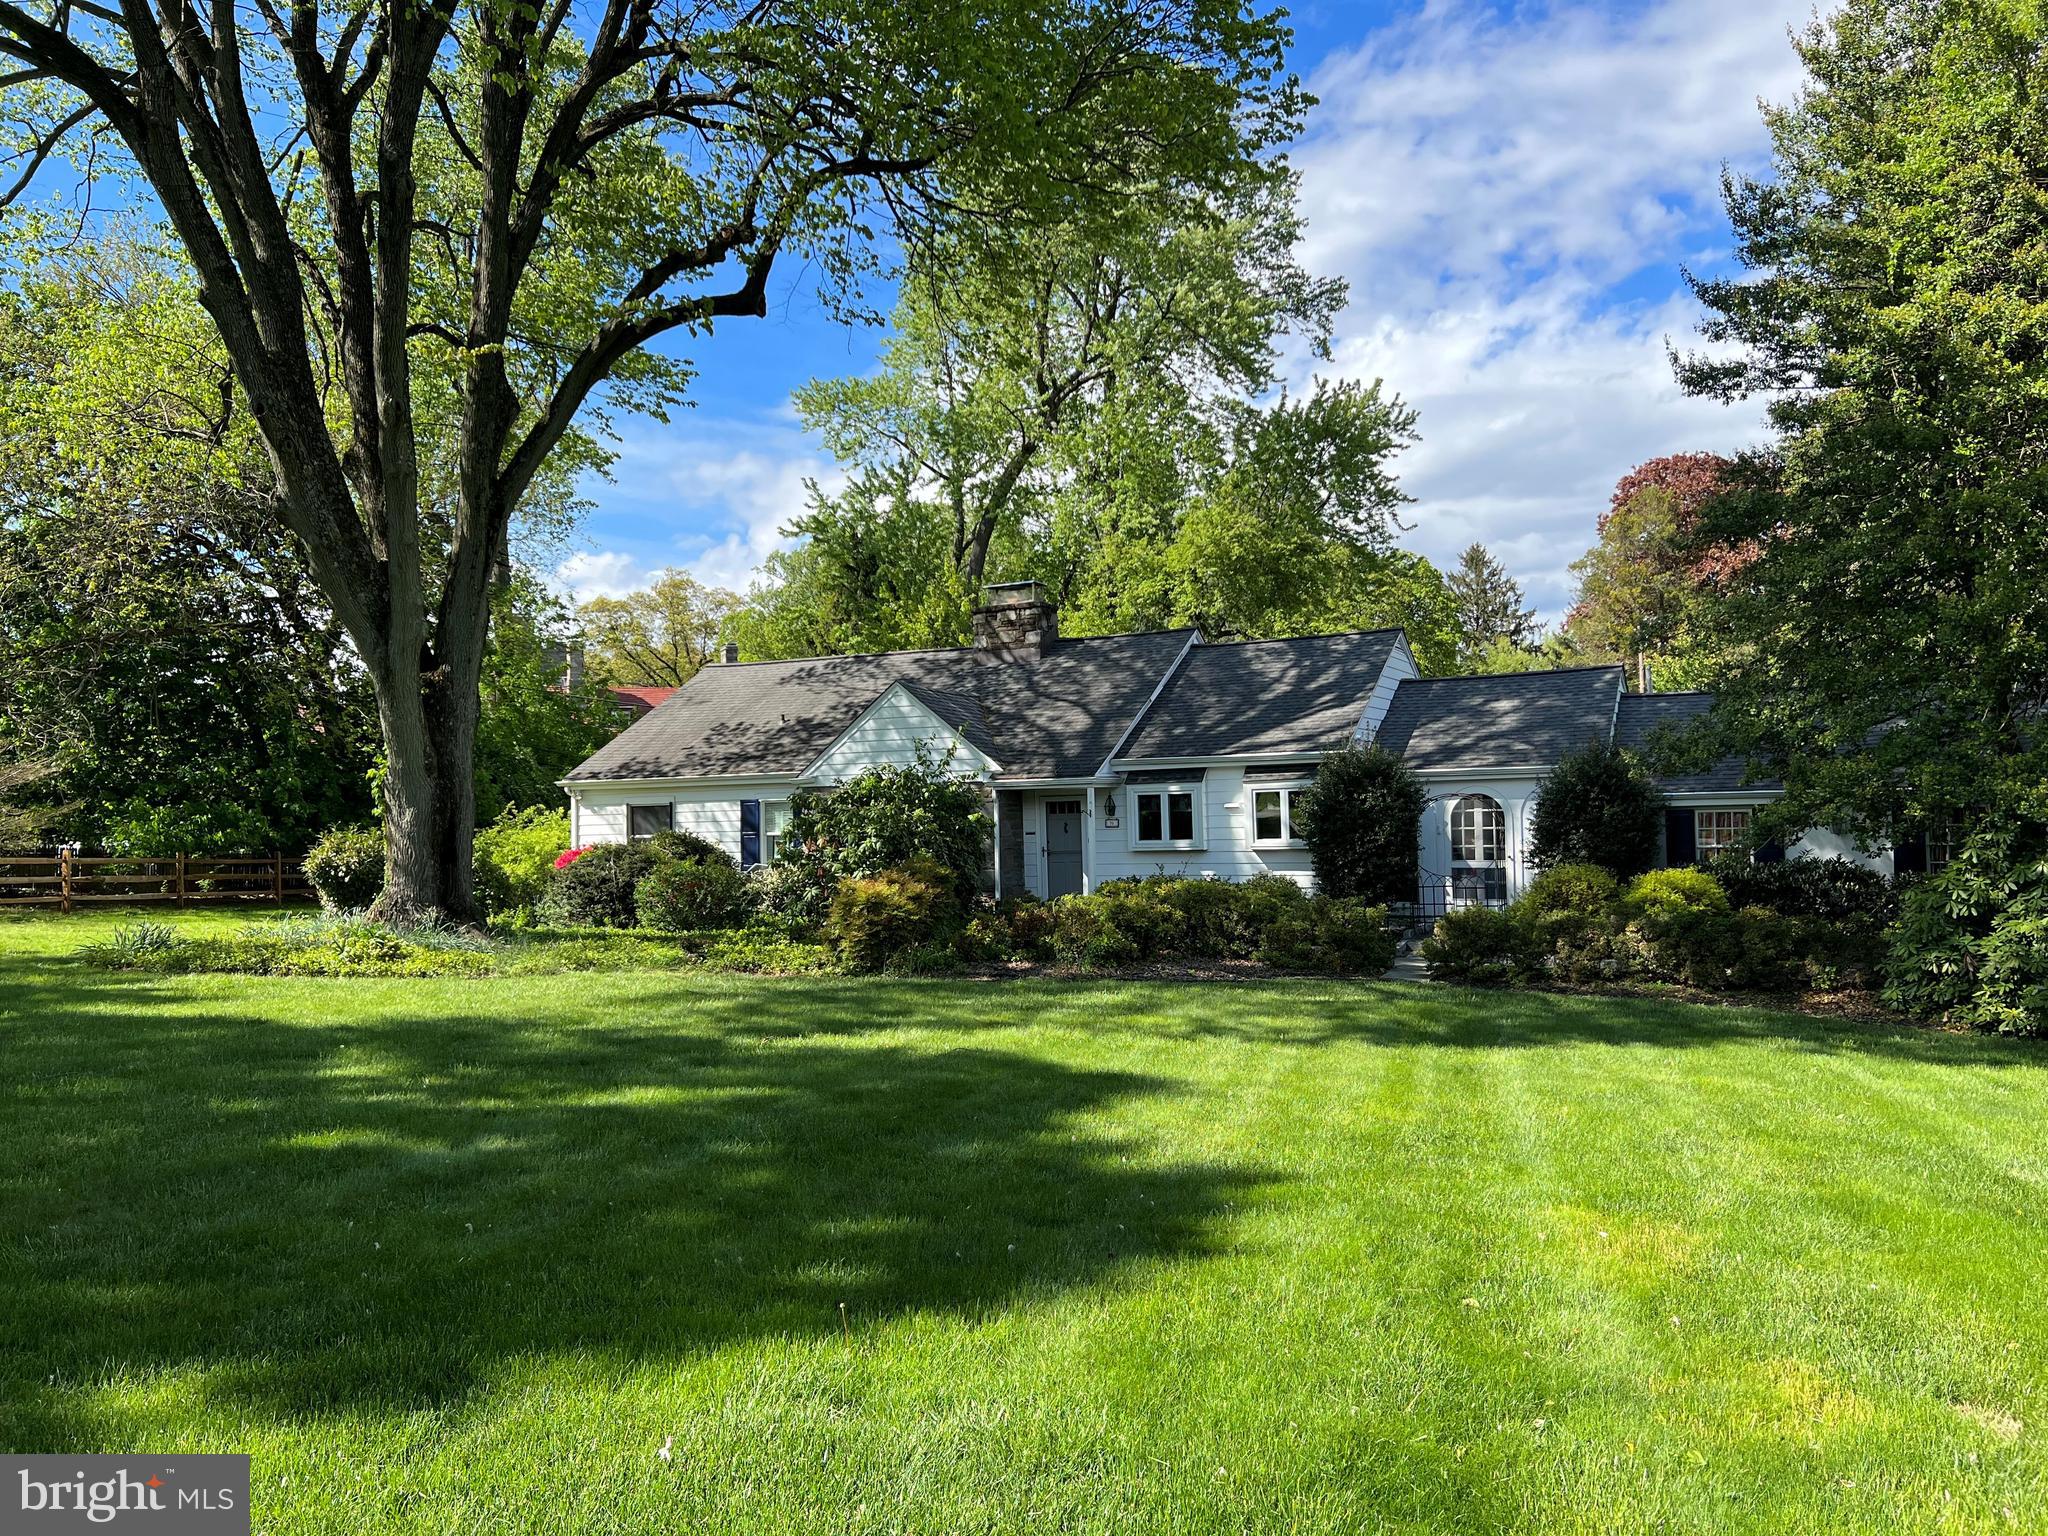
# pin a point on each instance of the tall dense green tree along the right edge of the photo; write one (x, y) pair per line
(1889, 638)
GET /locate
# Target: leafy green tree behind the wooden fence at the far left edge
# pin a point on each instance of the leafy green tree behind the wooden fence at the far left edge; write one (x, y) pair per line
(161, 640)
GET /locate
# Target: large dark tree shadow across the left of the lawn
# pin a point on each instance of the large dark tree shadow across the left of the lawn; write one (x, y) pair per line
(316, 1215)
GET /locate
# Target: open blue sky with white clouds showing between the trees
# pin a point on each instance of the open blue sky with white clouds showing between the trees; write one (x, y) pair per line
(1510, 194)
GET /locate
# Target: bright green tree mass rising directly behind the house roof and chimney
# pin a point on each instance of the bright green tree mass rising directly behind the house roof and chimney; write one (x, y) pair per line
(1091, 415)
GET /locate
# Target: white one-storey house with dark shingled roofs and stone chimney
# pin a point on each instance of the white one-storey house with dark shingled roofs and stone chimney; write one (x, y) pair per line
(1142, 755)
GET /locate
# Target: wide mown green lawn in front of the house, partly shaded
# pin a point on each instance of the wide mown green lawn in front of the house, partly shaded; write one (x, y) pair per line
(460, 1256)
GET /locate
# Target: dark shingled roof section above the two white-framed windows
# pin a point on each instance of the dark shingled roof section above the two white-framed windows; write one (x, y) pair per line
(1265, 697)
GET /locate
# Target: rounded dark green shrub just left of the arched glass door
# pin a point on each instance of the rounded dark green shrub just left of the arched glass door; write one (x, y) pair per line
(1361, 818)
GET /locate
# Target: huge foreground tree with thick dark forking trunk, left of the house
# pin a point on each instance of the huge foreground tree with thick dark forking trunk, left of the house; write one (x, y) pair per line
(505, 204)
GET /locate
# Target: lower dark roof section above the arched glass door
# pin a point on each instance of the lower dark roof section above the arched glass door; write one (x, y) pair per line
(1512, 720)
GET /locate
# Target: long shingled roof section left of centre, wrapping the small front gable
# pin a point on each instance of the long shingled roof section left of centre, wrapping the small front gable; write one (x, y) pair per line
(1054, 716)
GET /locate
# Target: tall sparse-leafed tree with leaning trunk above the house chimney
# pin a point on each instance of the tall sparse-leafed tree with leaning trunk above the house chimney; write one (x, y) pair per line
(1060, 357)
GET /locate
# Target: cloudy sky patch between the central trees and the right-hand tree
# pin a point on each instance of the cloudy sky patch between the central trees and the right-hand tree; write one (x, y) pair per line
(1510, 202)
